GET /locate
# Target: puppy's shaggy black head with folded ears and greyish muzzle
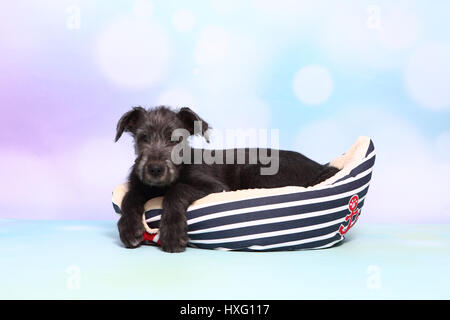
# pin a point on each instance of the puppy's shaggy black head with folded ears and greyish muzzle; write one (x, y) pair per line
(153, 142)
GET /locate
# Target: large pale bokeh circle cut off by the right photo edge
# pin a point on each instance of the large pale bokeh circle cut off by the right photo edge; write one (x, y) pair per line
(427, 76)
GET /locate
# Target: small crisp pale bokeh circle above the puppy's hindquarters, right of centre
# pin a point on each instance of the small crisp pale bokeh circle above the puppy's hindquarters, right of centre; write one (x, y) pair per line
(313, 84)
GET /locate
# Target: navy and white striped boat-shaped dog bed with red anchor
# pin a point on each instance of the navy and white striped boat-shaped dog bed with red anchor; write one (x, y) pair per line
(286, 218)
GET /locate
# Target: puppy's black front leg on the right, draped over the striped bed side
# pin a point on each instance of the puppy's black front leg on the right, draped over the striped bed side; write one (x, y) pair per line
(173, 224)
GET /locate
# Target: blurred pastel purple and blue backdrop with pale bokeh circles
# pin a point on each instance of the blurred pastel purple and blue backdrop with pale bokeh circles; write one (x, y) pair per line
(322, 72)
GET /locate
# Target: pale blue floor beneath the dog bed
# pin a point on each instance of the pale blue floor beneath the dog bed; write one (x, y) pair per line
(84, 260)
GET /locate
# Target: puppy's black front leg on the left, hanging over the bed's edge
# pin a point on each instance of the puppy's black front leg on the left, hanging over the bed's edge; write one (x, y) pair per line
(131, 228)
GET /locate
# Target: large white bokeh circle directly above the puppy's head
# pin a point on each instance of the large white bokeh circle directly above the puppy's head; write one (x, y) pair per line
(133, 53)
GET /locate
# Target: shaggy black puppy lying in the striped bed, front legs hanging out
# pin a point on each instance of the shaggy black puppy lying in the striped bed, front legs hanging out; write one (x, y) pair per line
(156, 173)
